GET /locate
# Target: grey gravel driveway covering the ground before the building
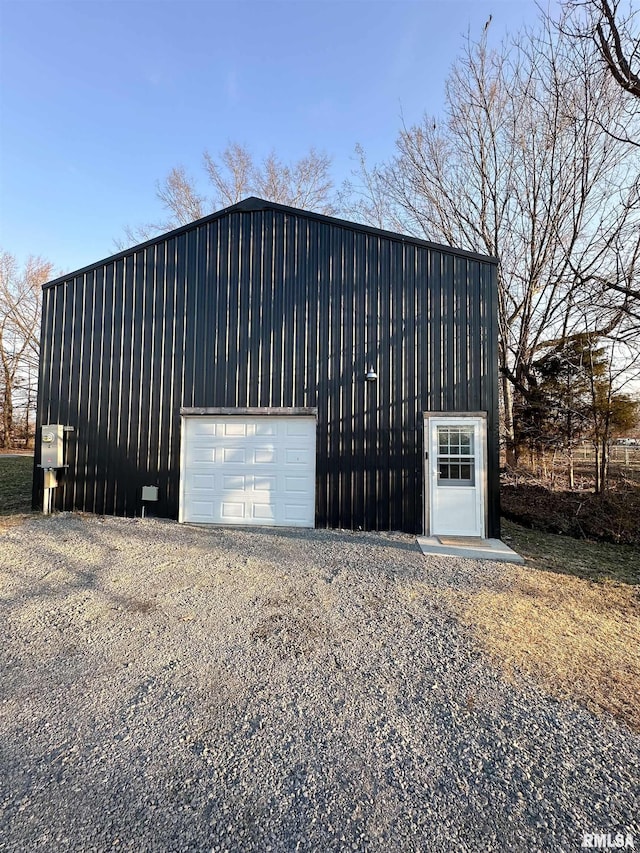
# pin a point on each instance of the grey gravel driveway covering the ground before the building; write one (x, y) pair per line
(170, 688)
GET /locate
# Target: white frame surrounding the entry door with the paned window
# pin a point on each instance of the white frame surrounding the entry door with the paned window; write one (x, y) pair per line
(433, 419)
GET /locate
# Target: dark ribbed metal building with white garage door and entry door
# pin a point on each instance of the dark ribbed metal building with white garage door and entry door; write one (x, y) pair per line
(262, 310)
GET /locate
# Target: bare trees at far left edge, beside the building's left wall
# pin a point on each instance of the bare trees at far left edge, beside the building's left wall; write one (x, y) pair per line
(20, 303)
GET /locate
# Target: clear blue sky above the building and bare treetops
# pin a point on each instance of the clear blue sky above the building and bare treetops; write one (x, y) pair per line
(100, 99)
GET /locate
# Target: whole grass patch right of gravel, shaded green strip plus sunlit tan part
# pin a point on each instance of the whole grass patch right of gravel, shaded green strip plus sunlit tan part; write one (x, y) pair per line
(569, 620)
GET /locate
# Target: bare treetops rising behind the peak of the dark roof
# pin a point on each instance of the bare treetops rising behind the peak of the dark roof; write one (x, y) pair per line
(234, 175)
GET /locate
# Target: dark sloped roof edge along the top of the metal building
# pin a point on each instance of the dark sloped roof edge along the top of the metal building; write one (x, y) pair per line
(253, 203)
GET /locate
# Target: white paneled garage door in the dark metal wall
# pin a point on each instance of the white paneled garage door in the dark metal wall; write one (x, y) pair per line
(238, 469)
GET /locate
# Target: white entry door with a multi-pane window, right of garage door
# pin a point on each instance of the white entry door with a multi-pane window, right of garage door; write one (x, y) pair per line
(455, 475)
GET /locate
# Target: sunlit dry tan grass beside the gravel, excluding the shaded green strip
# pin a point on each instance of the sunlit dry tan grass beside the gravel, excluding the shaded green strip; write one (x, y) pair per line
(577, 638)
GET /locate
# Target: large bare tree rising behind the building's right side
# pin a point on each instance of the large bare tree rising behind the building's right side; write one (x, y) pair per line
(519, 167)
